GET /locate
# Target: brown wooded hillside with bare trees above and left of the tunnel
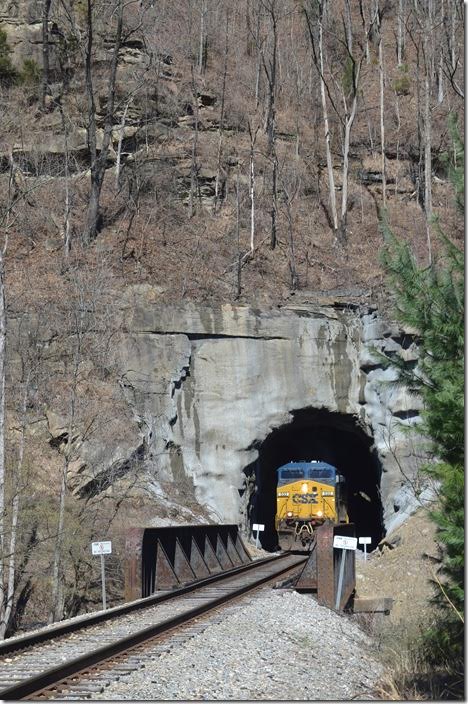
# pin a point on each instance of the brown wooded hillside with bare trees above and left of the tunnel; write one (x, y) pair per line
(216, 152)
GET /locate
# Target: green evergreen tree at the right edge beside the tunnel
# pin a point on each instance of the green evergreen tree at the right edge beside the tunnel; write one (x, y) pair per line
(431, 300)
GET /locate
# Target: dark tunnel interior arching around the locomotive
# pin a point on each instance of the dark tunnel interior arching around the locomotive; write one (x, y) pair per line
(319, 435)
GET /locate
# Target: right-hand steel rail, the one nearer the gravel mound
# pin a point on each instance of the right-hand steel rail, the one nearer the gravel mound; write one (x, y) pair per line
(55, 675)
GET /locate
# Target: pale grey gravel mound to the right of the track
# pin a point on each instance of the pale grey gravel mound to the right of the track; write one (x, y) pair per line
(277, 645)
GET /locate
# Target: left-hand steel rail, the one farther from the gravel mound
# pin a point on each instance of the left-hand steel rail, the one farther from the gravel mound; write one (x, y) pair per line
(11, 645)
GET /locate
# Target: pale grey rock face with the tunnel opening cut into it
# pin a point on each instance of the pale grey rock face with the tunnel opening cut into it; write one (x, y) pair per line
(211, 388)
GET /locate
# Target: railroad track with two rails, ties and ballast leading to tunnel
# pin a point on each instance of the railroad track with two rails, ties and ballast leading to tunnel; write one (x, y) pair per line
(61, 661)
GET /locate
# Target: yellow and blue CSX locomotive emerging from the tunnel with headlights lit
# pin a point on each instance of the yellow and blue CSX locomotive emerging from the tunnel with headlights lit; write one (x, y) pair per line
(307, 495)
